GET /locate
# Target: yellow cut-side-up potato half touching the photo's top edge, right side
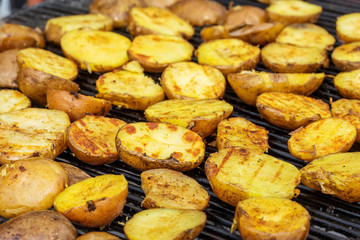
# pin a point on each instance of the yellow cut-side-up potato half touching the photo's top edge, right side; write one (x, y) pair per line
(288, 12)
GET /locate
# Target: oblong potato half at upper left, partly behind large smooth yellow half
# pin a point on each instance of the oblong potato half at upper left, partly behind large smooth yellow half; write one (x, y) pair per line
(56, 27)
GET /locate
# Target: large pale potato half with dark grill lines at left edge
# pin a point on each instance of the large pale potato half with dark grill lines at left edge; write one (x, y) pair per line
(32, 132)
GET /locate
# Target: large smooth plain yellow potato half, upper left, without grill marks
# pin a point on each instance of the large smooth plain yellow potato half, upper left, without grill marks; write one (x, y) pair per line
(93, 50)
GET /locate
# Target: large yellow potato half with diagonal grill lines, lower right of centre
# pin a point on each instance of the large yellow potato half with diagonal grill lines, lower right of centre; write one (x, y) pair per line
(236, 174)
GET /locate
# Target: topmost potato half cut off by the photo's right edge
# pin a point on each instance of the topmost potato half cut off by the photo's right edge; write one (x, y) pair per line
(347, 27)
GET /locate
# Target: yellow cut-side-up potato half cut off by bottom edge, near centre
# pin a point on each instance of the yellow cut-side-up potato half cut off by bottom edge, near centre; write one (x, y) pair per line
(175, 224)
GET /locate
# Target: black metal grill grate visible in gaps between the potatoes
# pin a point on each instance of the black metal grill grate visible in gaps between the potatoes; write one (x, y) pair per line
(331, 218)
